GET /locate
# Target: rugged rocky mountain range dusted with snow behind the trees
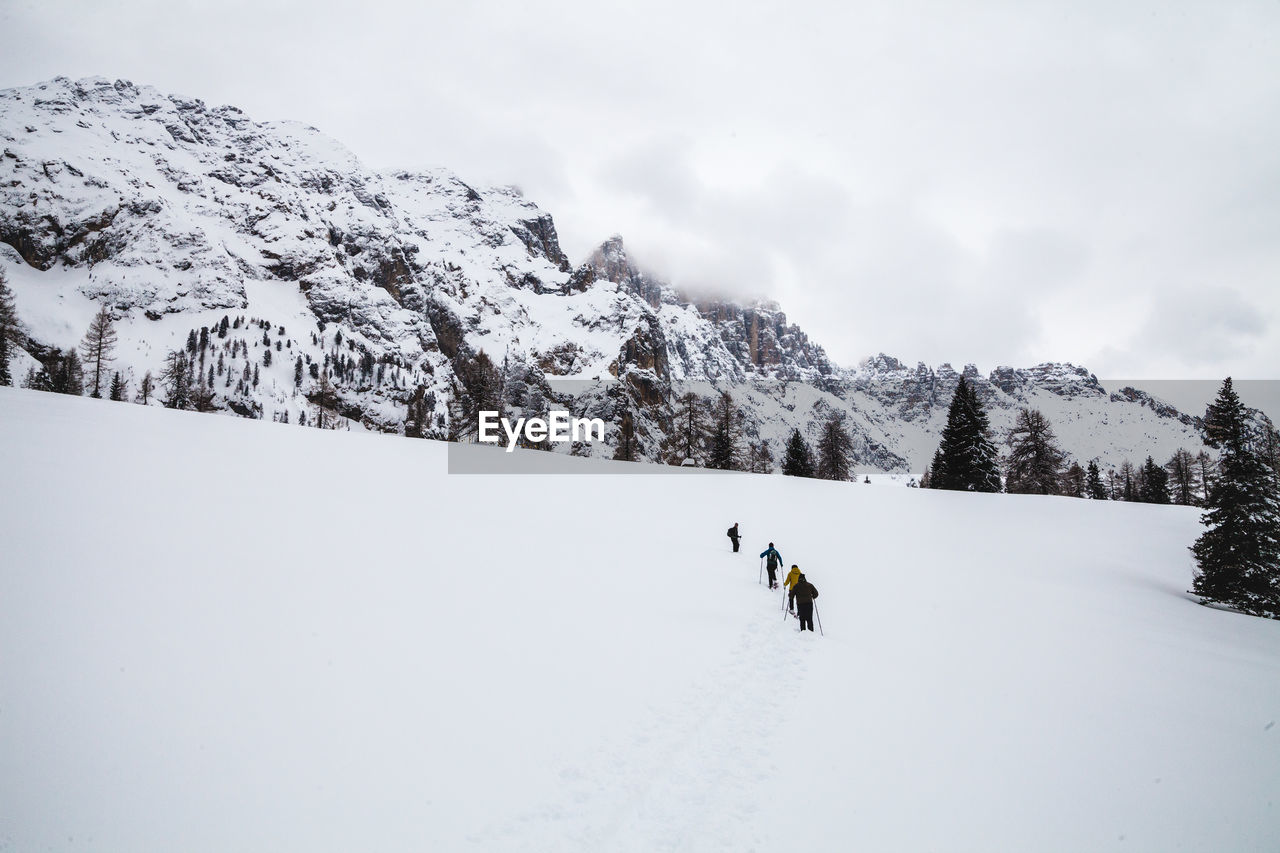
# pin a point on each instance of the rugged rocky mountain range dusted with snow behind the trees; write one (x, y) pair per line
(292, 266)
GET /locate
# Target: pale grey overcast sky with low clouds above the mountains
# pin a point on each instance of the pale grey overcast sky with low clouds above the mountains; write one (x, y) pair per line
(989, 183)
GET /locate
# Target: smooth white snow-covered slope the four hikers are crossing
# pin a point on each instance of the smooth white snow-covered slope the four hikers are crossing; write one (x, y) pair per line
(230, 636)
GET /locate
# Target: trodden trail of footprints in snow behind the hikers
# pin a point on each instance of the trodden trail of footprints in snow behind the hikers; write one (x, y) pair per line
(683, 779)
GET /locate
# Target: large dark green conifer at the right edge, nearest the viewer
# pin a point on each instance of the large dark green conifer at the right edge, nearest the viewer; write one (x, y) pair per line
(1240, 554)
